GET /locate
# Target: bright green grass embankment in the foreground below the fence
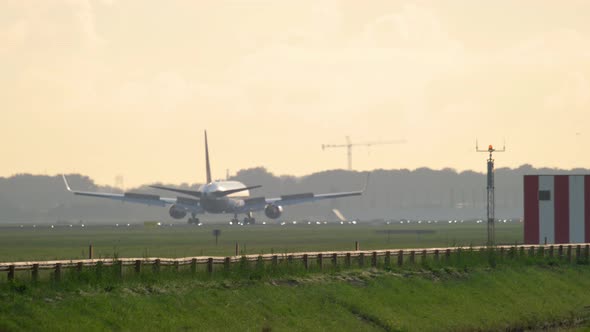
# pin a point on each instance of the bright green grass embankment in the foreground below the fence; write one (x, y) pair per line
(422, 298)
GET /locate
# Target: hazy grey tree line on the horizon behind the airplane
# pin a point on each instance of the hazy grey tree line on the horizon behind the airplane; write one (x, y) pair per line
(422, 193)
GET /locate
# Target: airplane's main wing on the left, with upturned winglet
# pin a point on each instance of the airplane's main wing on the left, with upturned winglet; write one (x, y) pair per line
(147, 199)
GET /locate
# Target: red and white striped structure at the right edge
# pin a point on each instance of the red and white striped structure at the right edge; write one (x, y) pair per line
(556, 209)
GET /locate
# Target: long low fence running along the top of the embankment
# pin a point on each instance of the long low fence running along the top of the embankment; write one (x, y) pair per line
(401, 256)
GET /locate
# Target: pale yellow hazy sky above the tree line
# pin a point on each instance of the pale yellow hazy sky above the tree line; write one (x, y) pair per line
(112, 88)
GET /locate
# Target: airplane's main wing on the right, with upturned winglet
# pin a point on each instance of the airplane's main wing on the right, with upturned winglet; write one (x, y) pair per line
(258, 203)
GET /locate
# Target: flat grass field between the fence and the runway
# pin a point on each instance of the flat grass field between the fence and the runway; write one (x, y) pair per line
(44, 243)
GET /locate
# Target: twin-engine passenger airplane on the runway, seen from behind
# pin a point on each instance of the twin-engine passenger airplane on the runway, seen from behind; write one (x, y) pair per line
(214, 197)
